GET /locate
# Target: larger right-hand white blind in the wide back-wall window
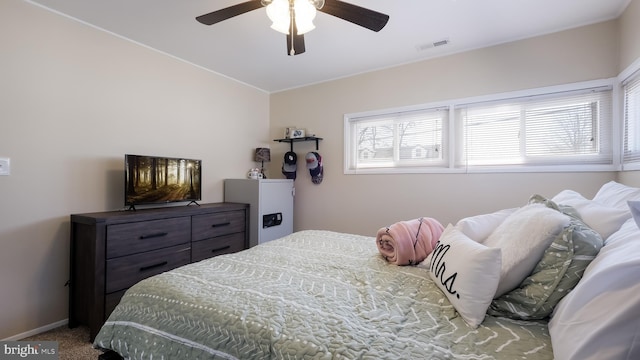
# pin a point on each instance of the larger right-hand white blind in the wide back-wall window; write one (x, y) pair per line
(565, 128)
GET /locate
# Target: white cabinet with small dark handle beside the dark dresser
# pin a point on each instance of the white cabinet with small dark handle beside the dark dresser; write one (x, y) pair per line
(271, 206)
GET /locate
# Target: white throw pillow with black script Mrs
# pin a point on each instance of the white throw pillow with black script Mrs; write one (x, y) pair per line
(466, 271)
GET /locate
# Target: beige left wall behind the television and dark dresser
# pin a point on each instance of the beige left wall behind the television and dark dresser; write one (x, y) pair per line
(73, 101)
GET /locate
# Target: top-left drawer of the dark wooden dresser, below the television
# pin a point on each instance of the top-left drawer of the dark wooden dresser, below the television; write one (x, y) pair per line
(137, 237)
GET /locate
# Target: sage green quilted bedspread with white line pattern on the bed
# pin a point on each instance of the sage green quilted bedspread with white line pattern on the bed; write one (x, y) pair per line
(310, 295)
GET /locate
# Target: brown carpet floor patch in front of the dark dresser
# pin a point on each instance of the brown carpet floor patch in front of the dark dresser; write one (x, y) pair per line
(73, 344)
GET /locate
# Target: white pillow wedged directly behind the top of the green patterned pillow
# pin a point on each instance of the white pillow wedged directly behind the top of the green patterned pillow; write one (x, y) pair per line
(604, 219)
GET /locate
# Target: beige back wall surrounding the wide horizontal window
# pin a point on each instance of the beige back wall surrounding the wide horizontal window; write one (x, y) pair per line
(363, 203)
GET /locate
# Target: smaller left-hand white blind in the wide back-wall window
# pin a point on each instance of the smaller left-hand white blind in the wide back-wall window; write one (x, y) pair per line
(401, 139)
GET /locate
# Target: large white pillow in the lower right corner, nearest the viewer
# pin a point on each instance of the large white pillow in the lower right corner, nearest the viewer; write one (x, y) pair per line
(599, 318)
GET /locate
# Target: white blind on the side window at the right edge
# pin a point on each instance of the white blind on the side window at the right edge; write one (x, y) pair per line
(631, 114)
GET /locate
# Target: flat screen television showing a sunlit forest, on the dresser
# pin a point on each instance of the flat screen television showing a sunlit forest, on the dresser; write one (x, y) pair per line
(159, 180)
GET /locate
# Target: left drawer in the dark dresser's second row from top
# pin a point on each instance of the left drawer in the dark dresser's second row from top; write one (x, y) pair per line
(125, 271)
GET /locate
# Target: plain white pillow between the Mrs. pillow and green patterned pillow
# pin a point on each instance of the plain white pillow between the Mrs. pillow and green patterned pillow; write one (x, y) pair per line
(523, 237)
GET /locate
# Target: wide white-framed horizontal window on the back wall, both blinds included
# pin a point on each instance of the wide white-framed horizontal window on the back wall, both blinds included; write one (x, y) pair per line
(560, 128)
